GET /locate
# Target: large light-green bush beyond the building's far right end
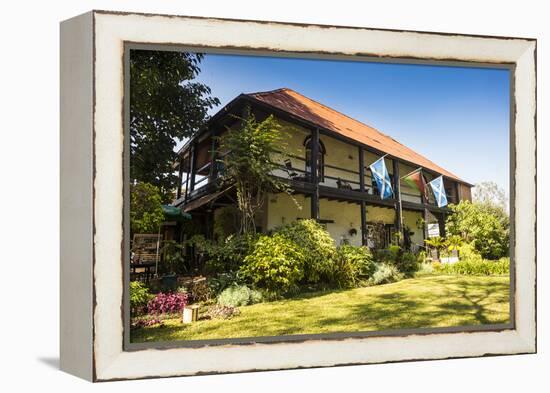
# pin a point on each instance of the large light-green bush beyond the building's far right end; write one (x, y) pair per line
(486, 226)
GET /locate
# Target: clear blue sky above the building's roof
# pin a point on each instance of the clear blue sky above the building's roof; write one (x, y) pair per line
(457, 117)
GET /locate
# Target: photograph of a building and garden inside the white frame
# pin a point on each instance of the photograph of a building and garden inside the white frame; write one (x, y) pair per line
(278, 196)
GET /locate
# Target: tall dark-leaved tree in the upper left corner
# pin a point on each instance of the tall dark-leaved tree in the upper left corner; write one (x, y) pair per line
(166, 105)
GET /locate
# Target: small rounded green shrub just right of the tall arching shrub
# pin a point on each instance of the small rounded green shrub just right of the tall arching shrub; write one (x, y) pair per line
(352, 266)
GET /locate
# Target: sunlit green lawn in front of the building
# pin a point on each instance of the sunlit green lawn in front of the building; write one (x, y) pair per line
(429, 301)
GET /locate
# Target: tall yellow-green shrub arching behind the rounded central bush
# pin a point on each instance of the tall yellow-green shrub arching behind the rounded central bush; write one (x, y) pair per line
(316, 245)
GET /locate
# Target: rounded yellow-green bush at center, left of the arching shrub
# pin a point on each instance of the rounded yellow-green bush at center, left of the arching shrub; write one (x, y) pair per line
(276, 263)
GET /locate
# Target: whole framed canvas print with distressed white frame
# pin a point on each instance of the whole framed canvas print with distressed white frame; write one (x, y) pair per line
(245, 195)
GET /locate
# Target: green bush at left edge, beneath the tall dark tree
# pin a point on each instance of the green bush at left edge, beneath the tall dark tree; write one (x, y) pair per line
(146, 213)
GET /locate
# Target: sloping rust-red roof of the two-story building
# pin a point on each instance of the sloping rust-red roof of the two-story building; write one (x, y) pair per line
(314, 112)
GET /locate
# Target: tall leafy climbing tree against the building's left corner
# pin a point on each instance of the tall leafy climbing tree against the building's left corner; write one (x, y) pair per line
(249, 153)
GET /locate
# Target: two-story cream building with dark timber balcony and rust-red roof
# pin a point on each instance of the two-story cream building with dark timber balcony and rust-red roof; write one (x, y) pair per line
(327, 168)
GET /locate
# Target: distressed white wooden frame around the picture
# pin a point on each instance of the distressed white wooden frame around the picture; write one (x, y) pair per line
(93, 192)
